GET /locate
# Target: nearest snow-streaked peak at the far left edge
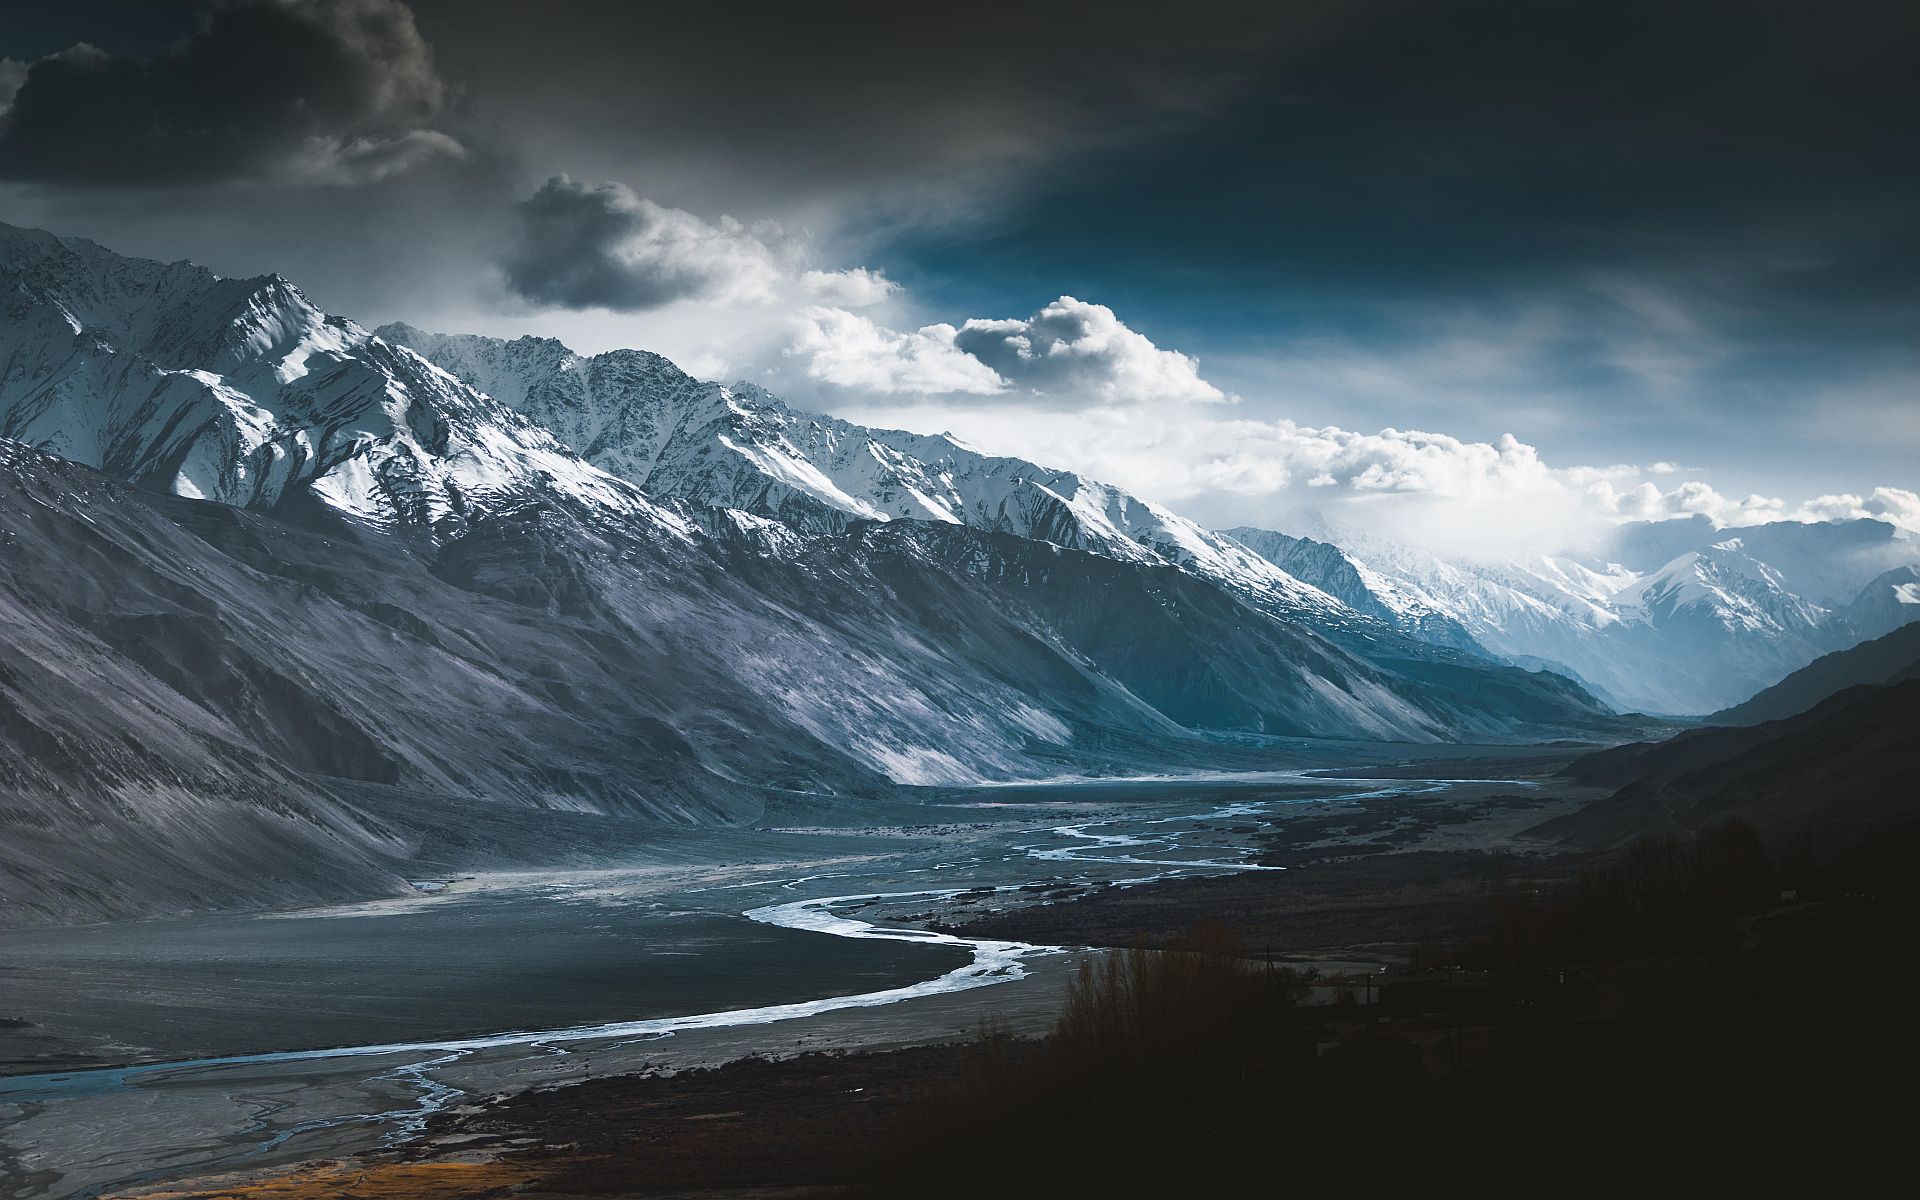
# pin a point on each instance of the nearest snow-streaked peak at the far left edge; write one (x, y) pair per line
(243, 393)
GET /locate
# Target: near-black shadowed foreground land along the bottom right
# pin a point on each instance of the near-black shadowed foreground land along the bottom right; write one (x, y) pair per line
(1675, 1011)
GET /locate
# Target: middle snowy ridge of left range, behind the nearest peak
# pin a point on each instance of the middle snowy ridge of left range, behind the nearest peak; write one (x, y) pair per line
(738, 446)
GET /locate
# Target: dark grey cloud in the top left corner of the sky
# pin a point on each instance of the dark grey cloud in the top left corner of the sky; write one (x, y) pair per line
(308, 91)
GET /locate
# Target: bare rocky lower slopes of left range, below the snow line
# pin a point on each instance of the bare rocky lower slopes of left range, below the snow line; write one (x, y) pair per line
(206, 706)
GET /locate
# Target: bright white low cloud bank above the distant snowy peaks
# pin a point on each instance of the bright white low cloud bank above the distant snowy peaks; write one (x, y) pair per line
(1460, 496)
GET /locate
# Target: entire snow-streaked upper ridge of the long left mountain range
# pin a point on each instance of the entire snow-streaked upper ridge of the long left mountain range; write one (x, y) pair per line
(245, 393)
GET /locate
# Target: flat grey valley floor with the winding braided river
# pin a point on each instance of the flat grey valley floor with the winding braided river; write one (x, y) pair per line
(660, 942)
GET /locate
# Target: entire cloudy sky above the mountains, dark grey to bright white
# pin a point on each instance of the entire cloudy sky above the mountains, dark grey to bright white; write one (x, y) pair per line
(1483, 272)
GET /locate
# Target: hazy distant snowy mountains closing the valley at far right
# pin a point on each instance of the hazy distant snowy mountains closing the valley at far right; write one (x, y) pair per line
(1668, 617)
